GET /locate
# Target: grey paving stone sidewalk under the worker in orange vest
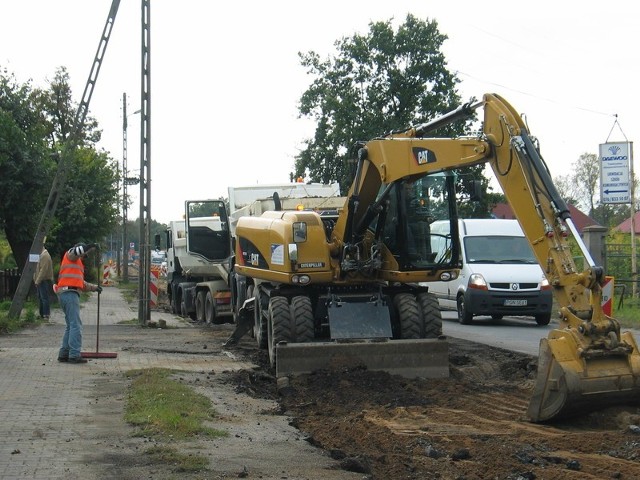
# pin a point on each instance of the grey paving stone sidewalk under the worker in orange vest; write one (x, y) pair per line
(46, 406)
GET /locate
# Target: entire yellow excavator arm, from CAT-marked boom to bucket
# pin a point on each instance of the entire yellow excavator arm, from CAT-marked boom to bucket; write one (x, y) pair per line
(584, 364)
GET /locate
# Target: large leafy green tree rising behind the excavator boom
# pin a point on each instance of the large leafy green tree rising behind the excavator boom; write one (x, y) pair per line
(383, 81)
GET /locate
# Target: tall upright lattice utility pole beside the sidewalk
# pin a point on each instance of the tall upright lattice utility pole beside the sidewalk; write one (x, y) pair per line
(144, 307)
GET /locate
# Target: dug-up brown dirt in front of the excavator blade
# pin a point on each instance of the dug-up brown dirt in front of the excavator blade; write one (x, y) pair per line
(470, 426)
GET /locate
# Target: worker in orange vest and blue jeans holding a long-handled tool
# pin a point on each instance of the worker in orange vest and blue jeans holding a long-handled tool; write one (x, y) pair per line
(70, 284)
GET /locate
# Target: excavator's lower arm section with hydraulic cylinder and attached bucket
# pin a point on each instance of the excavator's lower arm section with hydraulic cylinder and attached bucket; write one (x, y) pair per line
(586, 363)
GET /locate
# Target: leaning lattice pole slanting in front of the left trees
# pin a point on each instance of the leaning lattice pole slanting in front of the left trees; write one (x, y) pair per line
(63, 166)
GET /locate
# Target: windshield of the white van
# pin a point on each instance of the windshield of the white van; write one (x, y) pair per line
(498, 249)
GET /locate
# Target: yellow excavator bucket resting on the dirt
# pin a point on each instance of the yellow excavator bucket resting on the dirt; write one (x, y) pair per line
(572, 380)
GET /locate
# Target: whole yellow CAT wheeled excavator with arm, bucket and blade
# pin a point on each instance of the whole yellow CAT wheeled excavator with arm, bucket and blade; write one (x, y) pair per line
(323, 286)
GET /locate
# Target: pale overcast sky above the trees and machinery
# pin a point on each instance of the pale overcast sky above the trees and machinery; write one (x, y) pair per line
(226, 77)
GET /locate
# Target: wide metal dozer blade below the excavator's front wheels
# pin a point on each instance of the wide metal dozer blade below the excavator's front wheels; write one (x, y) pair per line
(426, 358)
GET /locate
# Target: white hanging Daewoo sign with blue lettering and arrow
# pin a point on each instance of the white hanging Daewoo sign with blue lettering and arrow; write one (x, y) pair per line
(614, 173)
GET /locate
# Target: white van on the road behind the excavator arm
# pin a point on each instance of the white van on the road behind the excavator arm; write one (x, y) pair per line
(500, 274)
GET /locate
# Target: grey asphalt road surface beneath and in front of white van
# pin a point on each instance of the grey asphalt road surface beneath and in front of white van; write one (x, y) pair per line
(519, 334)
